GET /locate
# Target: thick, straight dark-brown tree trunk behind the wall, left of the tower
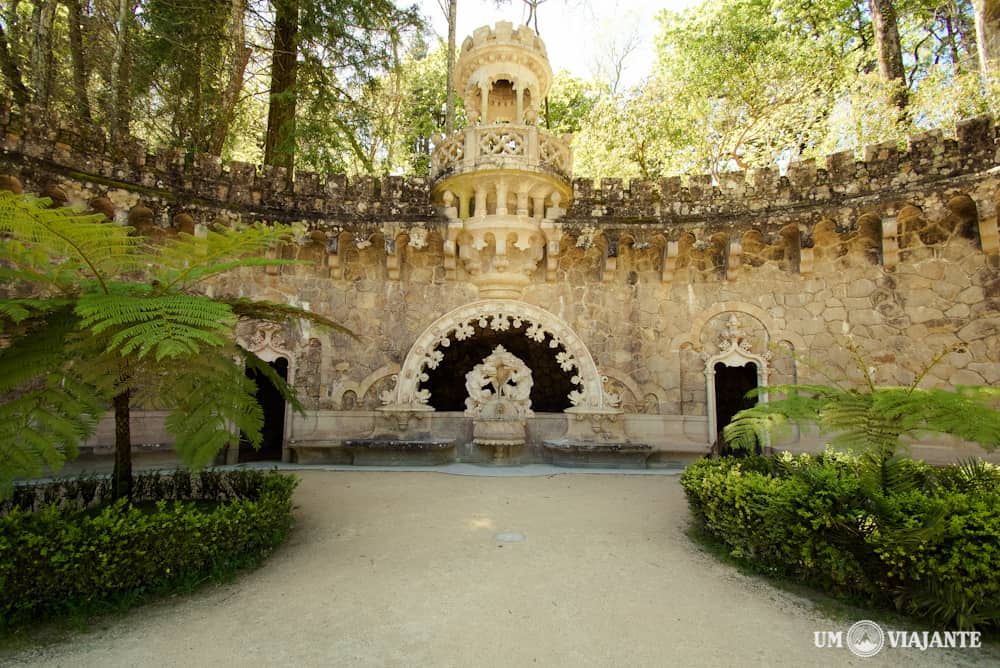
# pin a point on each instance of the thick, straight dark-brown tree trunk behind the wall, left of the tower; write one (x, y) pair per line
(279, 143)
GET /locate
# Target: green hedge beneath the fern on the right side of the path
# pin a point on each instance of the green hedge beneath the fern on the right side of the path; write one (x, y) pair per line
(899, 533)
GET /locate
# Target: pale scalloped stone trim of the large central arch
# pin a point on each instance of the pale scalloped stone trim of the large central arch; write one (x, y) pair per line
(498, 314)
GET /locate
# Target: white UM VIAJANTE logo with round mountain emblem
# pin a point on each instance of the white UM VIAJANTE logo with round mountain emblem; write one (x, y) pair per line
(865, 638)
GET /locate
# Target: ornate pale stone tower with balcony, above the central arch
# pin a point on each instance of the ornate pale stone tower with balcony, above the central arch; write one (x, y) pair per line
(502, 182)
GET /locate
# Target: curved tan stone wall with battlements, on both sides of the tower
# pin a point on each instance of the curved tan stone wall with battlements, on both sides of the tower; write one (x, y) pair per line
(898, 250)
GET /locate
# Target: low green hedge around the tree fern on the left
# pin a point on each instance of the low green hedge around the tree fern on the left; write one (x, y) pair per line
(63, 558)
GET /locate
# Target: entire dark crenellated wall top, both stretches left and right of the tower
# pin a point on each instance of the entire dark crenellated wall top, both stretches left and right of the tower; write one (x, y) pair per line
(50, 146)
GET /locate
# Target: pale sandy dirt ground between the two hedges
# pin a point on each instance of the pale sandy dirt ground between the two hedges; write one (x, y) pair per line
(430, 569)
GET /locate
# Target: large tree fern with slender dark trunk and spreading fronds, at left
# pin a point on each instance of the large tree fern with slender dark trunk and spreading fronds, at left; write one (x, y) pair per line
(92, 314)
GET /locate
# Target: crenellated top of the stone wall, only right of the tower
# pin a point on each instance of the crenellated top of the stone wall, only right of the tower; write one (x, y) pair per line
(884, 173)
